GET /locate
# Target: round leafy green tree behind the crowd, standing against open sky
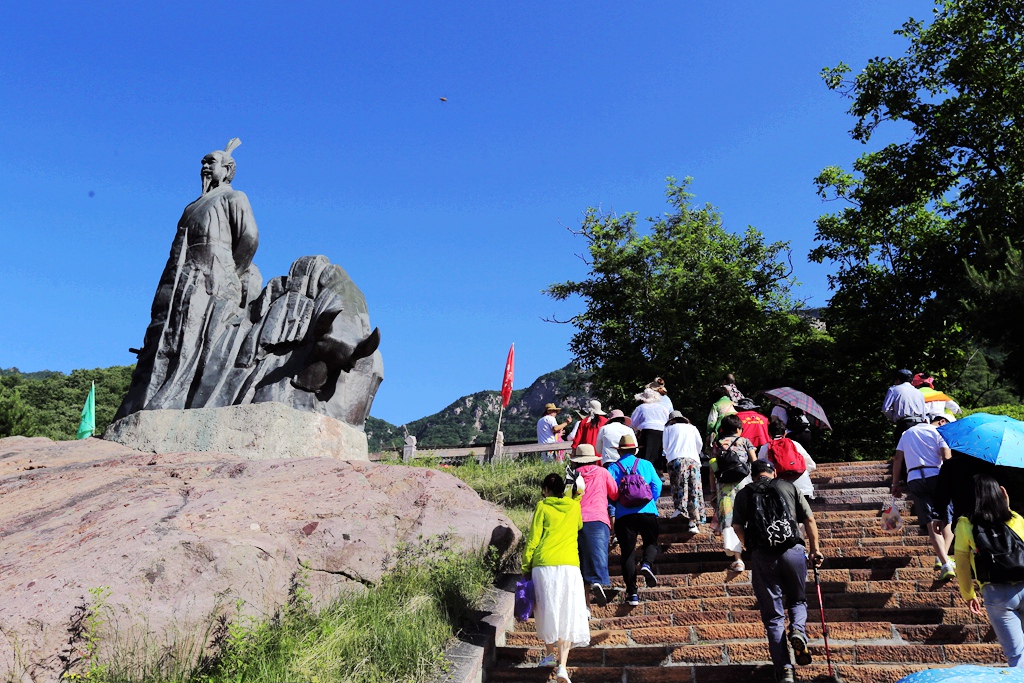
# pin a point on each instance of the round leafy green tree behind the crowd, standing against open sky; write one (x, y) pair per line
(687, 301)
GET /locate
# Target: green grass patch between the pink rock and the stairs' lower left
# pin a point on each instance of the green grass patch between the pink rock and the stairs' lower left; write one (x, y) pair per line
(396, 631)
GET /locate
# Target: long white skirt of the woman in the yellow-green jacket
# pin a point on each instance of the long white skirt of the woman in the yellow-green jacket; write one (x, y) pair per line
(561, 610)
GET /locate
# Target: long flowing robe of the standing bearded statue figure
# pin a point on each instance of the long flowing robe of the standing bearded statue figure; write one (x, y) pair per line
(201, 301)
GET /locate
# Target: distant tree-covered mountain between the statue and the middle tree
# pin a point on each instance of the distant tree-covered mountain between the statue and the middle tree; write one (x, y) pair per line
(474, 419)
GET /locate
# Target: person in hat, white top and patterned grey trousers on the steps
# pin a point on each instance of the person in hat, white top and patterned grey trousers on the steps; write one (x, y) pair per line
(682, 446)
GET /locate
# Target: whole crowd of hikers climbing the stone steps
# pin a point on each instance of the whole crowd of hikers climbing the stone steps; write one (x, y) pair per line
(759, 467)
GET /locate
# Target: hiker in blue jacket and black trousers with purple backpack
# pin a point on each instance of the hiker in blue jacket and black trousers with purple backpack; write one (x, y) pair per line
(636, 515)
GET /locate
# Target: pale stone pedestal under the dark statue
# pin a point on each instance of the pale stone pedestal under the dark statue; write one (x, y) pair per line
(254, 432)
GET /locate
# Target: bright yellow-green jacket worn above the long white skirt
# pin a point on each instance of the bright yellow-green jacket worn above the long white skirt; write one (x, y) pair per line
(553, 535)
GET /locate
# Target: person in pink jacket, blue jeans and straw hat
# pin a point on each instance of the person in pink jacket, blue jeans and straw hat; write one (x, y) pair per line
(600, 489)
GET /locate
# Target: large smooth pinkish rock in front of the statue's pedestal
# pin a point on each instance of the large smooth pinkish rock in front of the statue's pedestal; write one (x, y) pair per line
(180, 538)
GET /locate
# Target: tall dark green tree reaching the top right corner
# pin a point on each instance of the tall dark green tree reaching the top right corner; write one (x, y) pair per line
(918, 210)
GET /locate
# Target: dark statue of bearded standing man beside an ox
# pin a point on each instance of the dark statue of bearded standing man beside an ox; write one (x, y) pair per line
(305, 341)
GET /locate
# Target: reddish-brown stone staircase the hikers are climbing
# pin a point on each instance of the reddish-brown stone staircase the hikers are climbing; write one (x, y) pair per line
(887, 614)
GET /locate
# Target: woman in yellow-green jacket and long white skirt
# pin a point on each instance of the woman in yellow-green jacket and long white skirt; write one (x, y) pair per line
(552, 560)
